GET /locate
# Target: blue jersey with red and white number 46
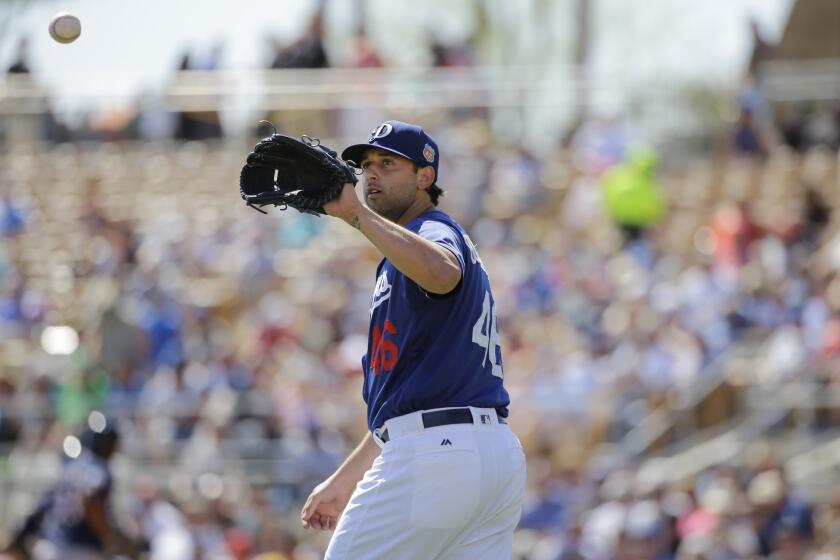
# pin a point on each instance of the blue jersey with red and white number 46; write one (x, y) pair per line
(432, 351)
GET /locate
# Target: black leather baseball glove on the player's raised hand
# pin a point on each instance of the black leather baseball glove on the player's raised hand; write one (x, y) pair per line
(301, 173)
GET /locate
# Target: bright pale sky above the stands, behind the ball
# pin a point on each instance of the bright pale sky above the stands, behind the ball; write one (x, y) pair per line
(127, 47)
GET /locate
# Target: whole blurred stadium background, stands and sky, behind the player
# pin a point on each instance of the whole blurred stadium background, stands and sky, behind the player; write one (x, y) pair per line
(651, 185)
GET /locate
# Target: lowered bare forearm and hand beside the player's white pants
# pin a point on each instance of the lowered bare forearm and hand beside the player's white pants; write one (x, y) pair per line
(328, 499)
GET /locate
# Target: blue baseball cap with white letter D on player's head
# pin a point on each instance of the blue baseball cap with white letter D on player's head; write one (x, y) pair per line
(403, 139)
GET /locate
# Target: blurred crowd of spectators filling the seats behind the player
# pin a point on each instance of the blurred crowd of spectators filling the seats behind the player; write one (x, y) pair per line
(227, 344)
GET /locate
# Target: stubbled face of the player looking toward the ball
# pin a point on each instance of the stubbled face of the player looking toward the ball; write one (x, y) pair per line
(390, 183)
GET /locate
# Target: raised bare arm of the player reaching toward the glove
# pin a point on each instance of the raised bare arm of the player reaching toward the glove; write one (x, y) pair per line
(431, 266)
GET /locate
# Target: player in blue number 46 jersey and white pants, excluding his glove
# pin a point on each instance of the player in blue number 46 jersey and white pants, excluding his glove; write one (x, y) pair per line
(440, 475)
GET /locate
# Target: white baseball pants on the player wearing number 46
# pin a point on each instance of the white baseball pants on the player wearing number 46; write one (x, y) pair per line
(450, 492)
